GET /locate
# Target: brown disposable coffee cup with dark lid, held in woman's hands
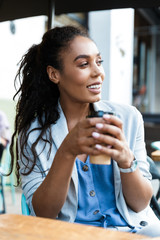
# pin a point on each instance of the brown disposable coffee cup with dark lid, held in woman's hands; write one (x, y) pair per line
(102, 158)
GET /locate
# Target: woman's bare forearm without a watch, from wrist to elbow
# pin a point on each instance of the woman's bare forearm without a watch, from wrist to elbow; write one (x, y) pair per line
(50, 196)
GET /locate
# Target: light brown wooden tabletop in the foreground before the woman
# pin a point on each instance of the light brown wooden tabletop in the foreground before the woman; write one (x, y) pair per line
(20, 227)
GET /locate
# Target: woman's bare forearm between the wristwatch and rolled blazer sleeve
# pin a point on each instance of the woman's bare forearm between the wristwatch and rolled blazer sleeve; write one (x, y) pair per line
(136, 189)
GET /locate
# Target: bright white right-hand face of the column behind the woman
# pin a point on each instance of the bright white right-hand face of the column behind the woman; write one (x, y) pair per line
(121, 55)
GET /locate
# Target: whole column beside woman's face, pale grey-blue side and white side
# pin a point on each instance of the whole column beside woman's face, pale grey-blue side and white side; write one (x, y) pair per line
(113, 32)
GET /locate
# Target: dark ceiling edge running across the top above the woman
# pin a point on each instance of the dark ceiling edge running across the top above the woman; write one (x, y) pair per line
(15, 9)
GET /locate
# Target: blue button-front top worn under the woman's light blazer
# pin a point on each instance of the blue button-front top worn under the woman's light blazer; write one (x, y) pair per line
(96, 199)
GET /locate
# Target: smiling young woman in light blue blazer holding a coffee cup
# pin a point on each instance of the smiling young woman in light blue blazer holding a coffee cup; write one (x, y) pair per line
(61, 85)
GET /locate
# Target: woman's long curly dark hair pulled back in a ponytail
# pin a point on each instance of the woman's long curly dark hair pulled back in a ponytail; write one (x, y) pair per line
(37, 95)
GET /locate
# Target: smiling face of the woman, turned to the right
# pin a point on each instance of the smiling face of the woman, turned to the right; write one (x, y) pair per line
(83, 74)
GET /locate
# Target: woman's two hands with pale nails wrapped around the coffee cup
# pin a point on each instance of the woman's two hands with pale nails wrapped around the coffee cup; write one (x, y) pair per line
(102, 135)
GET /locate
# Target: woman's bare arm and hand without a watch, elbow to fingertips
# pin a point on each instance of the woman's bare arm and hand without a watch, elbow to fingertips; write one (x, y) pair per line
(50, 195)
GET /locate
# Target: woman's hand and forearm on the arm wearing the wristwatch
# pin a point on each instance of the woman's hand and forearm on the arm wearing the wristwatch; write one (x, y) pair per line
(136, 188)
